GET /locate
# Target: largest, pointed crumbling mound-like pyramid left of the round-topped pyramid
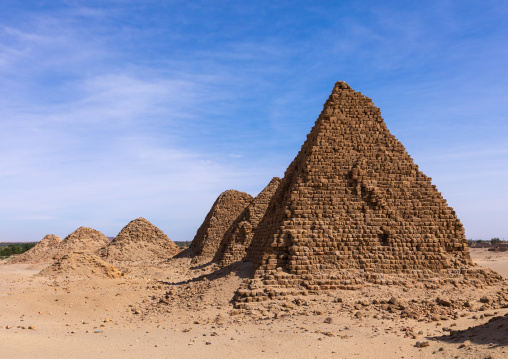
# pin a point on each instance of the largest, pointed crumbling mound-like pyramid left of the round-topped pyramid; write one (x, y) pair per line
(139, 241)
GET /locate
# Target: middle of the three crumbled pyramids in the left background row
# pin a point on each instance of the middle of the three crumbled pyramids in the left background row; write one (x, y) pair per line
(82, 239)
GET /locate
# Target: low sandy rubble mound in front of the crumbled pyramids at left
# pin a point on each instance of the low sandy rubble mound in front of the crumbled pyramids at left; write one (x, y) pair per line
(79, 264)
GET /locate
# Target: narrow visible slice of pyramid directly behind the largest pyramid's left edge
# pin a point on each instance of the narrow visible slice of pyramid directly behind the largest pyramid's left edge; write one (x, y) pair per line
(239, 236)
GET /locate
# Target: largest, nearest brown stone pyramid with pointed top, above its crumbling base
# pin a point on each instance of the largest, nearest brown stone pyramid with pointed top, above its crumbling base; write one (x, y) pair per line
(353, 200)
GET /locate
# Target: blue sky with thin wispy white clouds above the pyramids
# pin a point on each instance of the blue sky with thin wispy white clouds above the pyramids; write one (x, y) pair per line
(115, 109)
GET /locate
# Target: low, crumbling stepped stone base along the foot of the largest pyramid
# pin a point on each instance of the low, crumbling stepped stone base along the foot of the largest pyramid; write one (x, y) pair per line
(277, 284)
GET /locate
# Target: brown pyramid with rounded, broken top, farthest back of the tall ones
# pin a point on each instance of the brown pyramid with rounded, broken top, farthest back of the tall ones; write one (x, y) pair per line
(228, 206)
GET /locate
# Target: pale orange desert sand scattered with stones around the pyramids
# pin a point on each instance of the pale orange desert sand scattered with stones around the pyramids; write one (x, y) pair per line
(177, 310)
